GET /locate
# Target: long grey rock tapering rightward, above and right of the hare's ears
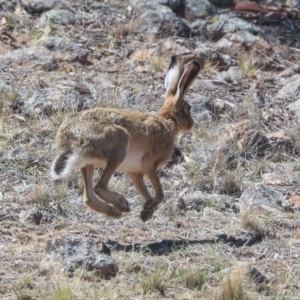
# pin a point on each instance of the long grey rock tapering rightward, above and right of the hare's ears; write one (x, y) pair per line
(218, 26)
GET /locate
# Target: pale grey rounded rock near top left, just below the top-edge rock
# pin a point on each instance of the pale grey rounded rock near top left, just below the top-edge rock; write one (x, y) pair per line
(58, 16)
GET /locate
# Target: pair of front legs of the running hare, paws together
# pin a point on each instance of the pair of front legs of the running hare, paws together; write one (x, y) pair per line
(151, 203)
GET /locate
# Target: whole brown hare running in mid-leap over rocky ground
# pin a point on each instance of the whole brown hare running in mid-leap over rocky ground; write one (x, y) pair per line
(128, 141)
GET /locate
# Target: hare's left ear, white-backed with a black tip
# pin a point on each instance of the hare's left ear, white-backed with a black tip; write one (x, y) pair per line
(174, 73)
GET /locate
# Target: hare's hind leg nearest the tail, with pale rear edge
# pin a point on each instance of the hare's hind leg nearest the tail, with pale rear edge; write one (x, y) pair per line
(91, 199)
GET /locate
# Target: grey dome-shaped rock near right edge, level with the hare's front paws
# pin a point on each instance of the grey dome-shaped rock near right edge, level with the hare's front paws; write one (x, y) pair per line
(261, 198)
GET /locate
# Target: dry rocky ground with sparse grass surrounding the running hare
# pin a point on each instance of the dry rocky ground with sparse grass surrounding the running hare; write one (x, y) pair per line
(229, 227)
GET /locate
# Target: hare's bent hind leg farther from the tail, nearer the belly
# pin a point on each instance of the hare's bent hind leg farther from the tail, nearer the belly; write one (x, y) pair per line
(101, 188)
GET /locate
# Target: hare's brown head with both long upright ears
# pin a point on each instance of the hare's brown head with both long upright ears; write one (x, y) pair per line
(177, 83)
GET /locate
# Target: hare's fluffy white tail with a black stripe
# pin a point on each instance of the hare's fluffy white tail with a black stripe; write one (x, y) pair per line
(63, 164)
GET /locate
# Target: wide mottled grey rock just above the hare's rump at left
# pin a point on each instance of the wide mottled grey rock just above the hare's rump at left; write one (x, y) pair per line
(48, 100)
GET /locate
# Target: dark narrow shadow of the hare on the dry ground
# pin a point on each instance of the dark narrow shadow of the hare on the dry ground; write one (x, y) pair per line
(167, 246)
